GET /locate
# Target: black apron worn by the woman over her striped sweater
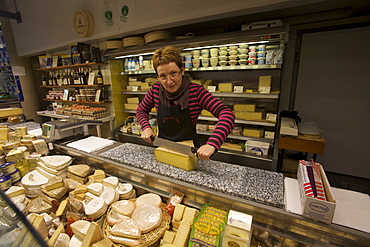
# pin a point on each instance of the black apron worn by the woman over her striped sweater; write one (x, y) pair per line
(175, 124)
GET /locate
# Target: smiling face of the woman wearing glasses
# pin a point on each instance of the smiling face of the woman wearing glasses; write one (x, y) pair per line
(170, 76)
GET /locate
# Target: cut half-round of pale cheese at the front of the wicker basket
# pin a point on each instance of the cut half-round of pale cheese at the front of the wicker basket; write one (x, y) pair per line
(127, 228)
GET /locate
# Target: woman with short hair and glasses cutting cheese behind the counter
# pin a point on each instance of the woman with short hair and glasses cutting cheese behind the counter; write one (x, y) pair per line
(179, 103)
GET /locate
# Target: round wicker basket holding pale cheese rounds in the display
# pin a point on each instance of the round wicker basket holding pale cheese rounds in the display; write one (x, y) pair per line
(149, 238)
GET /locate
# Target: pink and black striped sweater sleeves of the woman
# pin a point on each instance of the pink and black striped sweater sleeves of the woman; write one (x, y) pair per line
(199, 99)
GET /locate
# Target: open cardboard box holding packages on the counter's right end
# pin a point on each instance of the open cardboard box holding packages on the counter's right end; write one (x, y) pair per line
(312, 207)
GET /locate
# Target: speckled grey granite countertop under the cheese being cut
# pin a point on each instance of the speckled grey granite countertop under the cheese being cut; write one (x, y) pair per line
(257, 185)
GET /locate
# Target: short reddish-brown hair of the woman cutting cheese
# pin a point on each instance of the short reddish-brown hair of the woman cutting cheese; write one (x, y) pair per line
(167, 55)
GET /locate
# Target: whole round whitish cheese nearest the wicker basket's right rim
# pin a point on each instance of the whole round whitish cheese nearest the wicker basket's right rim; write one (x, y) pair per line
(148, 217)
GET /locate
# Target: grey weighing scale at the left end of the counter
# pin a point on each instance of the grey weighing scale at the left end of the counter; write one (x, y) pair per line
(61, 128)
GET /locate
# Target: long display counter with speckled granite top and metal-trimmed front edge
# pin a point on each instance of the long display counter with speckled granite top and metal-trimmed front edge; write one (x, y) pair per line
(253, 191)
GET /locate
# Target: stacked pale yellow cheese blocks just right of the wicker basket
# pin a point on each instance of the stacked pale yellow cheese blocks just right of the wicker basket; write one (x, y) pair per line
(182, 220)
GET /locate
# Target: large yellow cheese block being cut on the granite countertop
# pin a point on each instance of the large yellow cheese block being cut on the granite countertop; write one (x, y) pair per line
(172, 158)
